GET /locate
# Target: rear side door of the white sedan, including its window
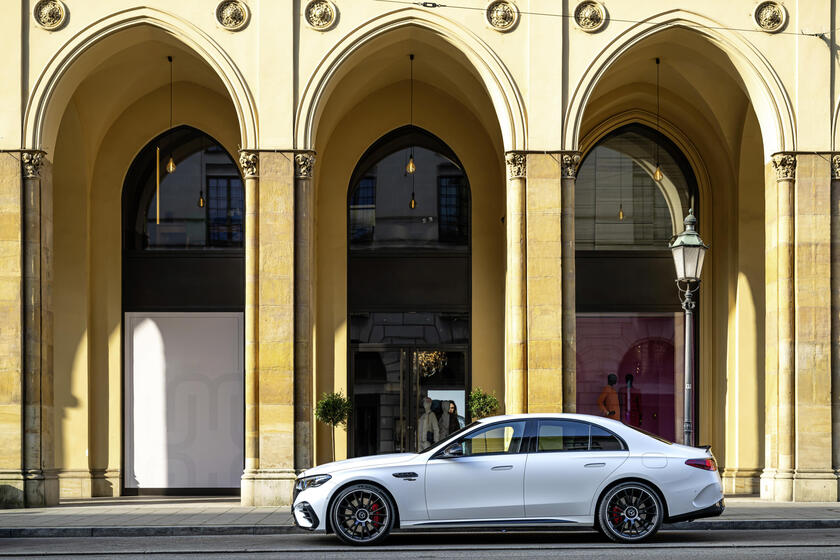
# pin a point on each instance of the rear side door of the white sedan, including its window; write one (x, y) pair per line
(567, 465)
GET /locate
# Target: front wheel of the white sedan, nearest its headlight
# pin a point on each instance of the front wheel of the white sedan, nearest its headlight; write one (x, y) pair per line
(362, 514)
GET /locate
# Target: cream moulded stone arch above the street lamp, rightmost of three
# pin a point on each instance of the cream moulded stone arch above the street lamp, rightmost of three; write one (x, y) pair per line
(763, 86)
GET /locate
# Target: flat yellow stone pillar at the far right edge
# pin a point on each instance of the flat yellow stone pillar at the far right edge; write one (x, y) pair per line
(813, 480)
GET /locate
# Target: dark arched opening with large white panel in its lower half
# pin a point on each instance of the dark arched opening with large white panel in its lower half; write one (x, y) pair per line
(183, 303)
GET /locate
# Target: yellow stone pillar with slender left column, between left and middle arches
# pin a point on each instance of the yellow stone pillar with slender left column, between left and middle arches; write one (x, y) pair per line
(269, 328)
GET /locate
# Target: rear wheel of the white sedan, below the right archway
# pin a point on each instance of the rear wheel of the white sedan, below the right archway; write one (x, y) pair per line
(630, 512)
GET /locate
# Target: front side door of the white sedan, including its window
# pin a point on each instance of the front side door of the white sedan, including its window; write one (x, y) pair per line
(486, 482)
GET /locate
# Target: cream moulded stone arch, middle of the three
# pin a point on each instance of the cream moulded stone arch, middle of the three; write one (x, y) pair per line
(494, 76)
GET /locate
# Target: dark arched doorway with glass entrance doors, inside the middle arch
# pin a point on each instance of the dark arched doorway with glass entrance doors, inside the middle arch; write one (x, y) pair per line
(408, 293)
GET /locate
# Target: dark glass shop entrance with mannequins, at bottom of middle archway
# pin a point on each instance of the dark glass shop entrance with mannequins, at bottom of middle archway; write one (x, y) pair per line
(405, 399)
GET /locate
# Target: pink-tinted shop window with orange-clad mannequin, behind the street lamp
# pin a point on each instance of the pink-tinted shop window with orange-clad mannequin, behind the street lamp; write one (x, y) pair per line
(628, 365)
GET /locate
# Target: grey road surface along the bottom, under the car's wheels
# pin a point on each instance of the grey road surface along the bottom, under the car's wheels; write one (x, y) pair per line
(797, 544)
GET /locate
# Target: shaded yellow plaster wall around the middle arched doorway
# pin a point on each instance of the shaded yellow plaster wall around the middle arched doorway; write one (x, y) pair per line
(381, 112)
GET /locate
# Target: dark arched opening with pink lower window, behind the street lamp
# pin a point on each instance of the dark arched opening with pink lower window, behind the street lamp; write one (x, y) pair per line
(624, 219)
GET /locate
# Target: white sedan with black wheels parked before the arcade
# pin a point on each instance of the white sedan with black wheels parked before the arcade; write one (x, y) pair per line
(517, 470)
